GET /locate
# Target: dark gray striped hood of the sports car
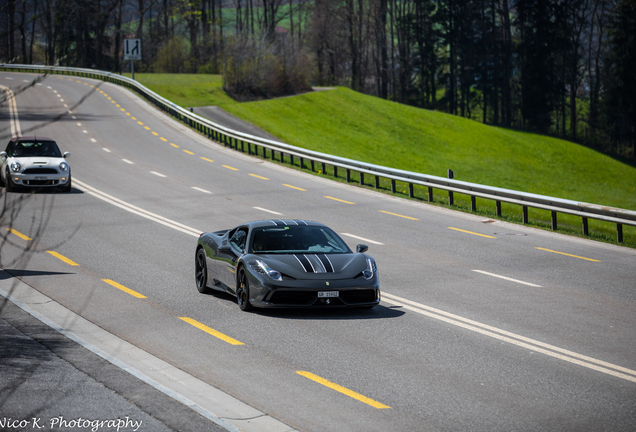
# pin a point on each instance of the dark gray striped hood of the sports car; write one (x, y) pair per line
(316, 266)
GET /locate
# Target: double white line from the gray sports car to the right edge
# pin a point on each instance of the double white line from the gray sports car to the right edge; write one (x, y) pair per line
(515, 339)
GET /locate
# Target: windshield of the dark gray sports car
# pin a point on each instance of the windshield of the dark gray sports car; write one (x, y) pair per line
(297, 239)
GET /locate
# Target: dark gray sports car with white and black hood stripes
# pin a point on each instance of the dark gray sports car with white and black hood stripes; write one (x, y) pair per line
(286, 263)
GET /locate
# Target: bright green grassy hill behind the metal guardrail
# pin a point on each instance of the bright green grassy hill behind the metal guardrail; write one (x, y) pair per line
(349, 124)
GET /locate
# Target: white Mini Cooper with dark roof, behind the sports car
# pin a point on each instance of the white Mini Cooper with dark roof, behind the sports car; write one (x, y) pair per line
(34, 162)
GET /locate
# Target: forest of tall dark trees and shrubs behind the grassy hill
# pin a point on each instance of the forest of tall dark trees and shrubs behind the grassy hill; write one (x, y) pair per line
(559, 67)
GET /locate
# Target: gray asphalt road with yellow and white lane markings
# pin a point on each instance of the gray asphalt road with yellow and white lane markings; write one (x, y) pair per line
(484, 326)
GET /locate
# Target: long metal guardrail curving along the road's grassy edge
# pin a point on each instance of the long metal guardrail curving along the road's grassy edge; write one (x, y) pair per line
(238, 140)
